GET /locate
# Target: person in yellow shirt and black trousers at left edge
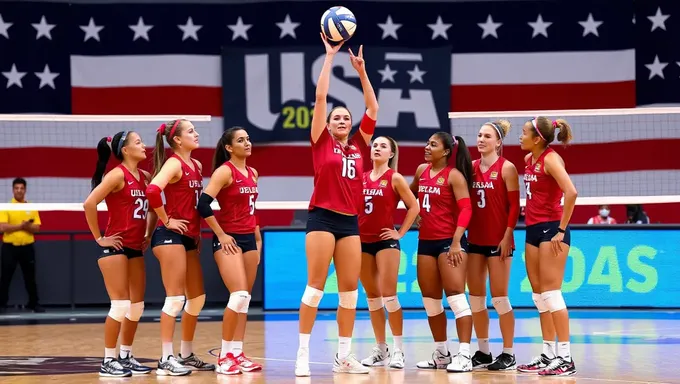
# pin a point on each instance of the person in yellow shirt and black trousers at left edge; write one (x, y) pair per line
(18, 229)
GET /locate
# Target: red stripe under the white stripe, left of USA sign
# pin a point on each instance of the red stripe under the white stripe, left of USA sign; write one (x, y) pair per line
(147, 100)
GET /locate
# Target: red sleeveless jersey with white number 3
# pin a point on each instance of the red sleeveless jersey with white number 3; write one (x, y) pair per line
(490, 205)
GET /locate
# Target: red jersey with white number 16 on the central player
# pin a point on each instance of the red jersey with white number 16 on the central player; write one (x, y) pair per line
(338, 172)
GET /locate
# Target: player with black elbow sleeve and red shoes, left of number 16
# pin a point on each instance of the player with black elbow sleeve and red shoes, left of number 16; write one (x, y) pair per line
(234, 185)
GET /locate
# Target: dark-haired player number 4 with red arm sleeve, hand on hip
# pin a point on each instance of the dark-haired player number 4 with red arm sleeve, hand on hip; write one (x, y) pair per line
(443, 192)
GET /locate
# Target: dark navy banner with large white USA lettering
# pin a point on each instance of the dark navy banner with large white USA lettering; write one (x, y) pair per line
(271, 91)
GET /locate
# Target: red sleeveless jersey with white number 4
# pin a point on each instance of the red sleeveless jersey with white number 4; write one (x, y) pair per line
(438, 208)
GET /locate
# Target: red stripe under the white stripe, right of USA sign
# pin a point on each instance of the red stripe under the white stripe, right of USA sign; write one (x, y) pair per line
(524, 97)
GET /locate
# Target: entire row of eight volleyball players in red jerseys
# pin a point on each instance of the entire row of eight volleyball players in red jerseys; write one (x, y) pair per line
(351, 222)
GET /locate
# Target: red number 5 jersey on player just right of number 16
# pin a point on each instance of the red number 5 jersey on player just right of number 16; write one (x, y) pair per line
(380, 202)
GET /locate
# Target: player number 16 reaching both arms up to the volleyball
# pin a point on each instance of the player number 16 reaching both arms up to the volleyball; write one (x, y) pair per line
(332, 224)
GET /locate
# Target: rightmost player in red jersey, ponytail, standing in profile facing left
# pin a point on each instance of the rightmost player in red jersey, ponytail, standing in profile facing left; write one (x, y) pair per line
(548, 239)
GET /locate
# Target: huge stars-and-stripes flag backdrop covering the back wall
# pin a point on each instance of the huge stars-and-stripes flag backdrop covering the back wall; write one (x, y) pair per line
(168, 59)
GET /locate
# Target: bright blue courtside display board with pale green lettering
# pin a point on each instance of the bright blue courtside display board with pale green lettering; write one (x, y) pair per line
(605, 268)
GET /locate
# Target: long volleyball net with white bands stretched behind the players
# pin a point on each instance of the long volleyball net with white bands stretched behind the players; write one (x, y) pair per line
(617, 157)
